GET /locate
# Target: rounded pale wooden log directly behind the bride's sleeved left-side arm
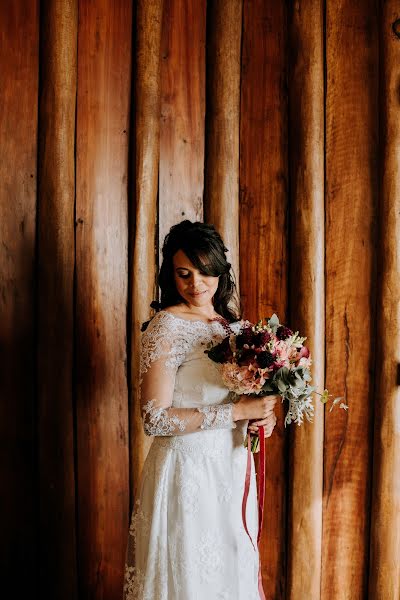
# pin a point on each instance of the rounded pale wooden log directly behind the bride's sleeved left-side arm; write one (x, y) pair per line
(147, 149)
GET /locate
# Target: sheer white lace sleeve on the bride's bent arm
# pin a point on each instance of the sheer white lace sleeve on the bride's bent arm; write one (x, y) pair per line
(163, 349)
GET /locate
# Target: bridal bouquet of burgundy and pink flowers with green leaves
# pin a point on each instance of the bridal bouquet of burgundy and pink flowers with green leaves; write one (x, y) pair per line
(269, 358)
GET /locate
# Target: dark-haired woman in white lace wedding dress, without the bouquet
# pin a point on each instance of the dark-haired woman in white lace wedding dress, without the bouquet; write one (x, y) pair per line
(186, 539)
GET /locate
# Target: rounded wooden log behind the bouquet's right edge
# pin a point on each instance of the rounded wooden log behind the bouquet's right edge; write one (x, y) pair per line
(306, 288)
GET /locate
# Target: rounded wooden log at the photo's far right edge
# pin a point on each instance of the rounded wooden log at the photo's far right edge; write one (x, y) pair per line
(384, 580)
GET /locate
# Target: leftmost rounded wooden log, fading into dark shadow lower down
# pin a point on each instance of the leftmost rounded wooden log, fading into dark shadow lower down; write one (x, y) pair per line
(56, 257)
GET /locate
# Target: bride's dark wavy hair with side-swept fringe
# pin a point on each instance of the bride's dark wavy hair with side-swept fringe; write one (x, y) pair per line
(205, 249)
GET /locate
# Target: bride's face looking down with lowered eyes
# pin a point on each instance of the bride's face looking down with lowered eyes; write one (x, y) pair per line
(195, 288)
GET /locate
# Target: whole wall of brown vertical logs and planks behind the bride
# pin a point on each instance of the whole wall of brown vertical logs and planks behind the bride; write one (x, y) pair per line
(276, 121)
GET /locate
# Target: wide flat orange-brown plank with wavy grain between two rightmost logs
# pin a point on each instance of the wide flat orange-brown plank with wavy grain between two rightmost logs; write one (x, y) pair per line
(351, 193)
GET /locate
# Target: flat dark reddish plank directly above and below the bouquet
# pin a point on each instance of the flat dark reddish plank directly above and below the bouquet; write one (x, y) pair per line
(263, 231)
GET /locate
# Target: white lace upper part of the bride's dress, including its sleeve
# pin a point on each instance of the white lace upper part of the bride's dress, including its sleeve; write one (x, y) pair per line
(180, 387)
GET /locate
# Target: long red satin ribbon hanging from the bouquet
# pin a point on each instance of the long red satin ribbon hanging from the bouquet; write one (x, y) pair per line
(261, 495)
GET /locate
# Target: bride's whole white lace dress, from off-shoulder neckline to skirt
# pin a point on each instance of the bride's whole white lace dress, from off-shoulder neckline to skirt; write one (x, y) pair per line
(186, 539)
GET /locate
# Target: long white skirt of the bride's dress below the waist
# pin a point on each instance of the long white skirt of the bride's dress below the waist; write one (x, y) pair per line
(186, 538)
